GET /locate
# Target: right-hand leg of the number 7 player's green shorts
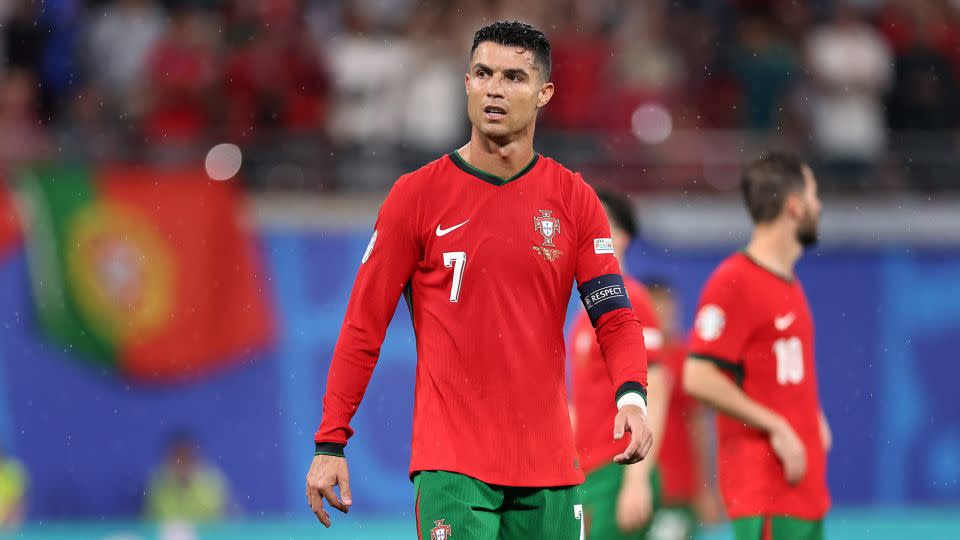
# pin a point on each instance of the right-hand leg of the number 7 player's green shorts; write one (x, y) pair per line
(554, 513)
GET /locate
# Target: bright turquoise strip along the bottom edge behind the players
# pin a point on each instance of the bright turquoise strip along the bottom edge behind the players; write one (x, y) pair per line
(848, 524)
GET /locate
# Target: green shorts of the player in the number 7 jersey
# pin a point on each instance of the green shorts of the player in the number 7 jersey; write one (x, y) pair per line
(457, 507)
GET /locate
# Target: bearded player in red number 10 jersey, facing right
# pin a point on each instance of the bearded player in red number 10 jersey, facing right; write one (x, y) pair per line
(751, 357)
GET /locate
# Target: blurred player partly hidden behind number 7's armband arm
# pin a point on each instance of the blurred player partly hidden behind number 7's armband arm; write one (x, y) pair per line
(618, 502)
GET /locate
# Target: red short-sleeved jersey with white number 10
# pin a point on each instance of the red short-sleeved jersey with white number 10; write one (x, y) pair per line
(757, 326)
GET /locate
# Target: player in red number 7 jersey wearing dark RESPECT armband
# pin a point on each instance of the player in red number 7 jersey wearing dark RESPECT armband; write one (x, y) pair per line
(486, 242)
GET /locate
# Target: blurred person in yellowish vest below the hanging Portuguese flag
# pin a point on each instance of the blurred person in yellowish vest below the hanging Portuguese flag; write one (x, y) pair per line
(185, 487)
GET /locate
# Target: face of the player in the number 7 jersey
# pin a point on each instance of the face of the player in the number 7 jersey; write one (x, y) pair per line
(505, 88)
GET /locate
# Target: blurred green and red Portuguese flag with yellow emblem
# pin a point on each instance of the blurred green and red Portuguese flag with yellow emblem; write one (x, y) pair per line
(149, 272)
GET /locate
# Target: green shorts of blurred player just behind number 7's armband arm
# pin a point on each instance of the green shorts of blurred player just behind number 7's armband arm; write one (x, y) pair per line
(600, 492)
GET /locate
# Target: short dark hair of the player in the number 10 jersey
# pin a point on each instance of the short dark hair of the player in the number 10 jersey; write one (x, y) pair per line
(766, 182)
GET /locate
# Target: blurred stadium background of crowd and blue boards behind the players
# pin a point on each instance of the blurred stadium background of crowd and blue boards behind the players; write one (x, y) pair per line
(331, 101)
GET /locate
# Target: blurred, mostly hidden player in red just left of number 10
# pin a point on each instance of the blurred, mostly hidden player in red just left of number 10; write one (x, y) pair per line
(686, 453)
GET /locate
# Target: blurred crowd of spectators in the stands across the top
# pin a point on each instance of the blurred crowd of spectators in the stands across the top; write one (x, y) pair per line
(344, 95)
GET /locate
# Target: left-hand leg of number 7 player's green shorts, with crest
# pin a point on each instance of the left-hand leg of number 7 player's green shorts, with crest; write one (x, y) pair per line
(455, 506)
